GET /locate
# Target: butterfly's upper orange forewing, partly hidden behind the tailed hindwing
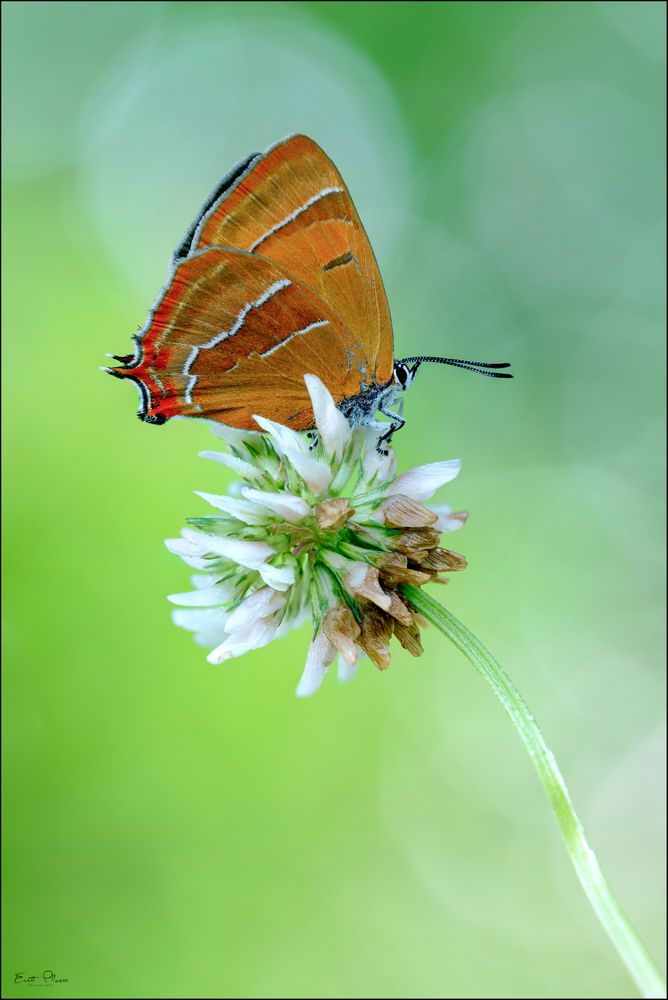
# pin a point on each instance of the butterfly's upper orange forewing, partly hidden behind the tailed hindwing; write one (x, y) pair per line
(291, 204)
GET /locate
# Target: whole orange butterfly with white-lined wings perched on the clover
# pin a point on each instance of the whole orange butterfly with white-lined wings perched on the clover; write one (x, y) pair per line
(274, 279)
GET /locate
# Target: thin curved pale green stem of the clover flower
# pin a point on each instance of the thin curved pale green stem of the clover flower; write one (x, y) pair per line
(629, 947)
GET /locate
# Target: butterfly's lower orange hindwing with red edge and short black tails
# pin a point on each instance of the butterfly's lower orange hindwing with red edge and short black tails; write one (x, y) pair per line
(233, 332)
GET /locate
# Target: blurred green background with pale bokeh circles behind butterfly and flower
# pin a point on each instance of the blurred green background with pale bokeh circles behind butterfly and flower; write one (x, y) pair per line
(177, 829)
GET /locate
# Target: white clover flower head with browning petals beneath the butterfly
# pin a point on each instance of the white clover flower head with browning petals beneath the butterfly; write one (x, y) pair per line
(318, 527)
